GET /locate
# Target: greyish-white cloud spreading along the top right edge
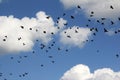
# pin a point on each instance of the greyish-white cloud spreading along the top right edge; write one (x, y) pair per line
(101, 8)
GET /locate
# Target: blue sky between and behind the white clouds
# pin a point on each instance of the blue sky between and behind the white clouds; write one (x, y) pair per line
(107, 45)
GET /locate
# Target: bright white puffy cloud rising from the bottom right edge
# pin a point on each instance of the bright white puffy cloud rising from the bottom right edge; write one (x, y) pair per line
(82, 72)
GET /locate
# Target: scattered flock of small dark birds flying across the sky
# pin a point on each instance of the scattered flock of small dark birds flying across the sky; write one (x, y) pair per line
(47, 48)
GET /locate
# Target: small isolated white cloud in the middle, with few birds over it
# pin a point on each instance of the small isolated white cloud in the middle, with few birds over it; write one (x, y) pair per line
(76, 36)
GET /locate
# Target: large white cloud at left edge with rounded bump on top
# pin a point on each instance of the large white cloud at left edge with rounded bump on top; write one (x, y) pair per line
(19, 34)
